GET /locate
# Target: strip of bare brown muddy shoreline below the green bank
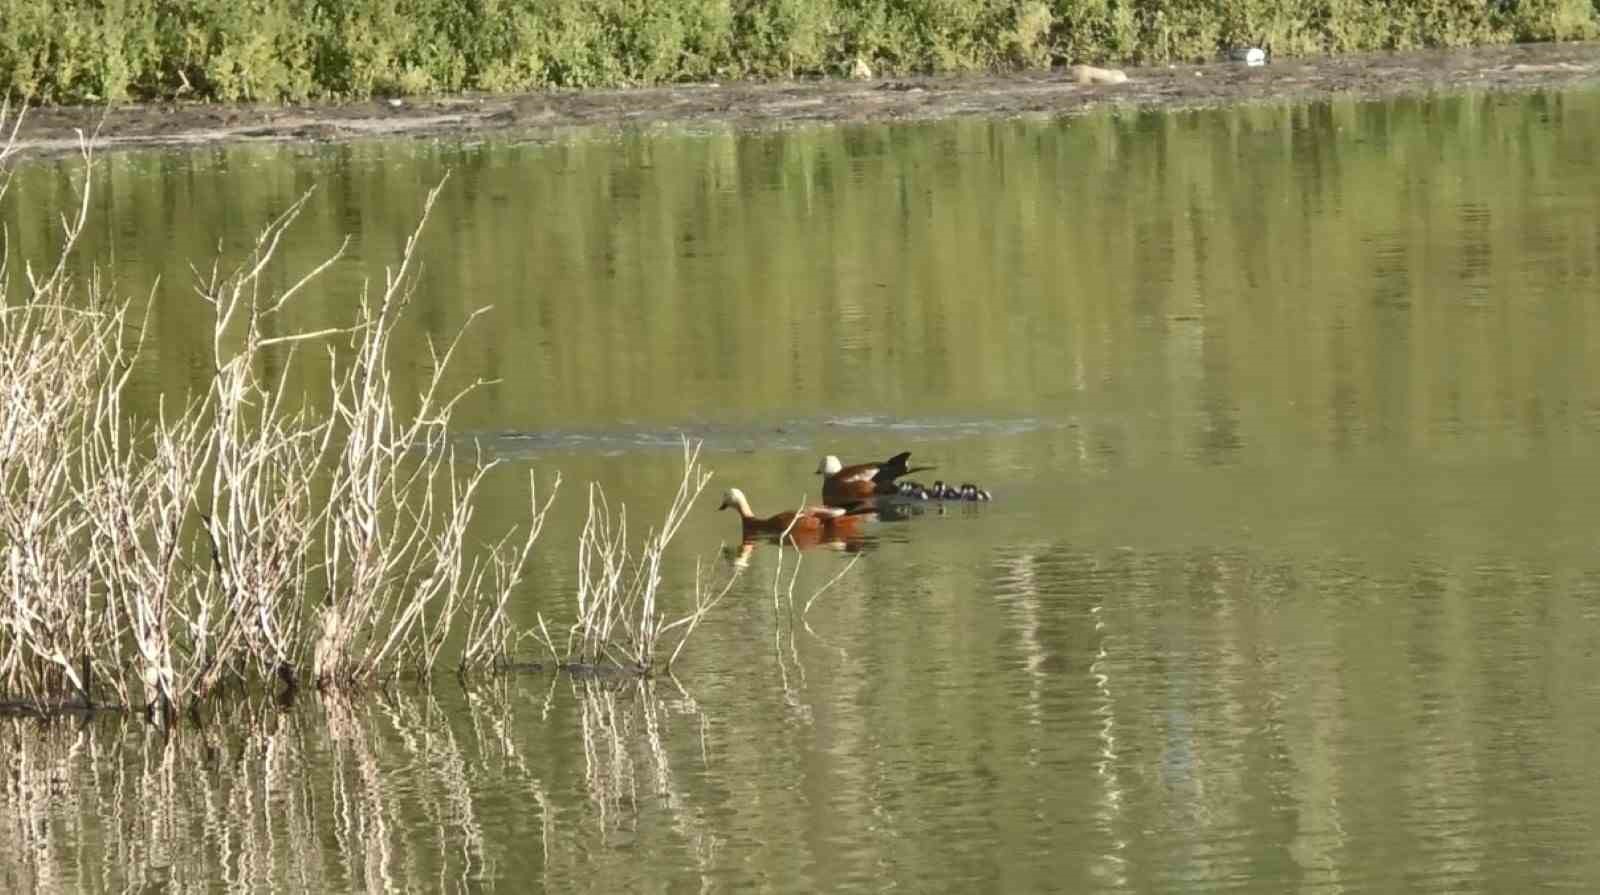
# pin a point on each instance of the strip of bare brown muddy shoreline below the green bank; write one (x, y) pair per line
(54, 130)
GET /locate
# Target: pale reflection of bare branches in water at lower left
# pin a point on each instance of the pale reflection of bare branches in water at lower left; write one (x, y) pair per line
(404, 787)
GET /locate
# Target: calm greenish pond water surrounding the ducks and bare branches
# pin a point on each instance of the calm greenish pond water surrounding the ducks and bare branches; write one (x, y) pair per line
(1290, 414)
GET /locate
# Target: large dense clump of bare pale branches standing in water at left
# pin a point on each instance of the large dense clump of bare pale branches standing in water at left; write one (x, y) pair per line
(250, 532)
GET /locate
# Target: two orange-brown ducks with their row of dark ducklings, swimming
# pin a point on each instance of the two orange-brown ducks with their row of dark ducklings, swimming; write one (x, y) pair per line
(850, 496)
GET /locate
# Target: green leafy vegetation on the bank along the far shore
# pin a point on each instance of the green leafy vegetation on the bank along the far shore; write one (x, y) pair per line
(270, 50)
